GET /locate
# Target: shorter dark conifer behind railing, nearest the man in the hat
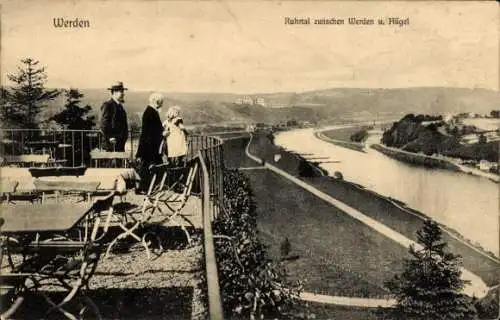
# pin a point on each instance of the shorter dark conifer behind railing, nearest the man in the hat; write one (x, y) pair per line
(73, 116)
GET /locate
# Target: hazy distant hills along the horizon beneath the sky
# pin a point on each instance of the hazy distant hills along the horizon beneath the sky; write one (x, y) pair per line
(319, 105)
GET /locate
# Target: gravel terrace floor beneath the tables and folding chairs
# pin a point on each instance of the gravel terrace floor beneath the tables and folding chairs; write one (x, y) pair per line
(128, 285)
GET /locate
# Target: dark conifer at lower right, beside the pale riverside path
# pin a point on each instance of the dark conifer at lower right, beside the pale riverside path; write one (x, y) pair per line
(430, 285)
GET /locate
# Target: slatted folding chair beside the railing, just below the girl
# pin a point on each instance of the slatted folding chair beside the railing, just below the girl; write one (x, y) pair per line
(175, 196)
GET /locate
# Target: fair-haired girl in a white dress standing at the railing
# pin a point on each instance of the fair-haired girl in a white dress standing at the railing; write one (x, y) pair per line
(175, 137)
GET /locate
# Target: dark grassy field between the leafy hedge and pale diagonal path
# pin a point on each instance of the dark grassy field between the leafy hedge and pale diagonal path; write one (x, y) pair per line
(337, 254)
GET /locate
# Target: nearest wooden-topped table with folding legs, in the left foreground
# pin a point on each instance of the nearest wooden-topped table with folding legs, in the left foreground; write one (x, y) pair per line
(59, 247)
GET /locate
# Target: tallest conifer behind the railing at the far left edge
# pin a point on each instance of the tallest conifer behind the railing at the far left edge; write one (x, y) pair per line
(28, 96)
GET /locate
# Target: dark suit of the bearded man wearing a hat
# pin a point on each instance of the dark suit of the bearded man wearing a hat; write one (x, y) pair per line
(114, 125)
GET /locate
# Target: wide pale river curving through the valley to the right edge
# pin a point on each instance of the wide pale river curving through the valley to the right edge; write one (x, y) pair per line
(466, 203)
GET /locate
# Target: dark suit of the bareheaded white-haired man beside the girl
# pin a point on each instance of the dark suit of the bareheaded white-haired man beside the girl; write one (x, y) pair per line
(151, 137)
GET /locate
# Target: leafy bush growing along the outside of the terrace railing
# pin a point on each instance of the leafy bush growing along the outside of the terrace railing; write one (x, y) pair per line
(252, 285)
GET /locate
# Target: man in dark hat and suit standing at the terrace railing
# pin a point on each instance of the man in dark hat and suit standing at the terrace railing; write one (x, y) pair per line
(114, 124)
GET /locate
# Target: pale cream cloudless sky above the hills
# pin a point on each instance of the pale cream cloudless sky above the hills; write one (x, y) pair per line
(245, 46)
